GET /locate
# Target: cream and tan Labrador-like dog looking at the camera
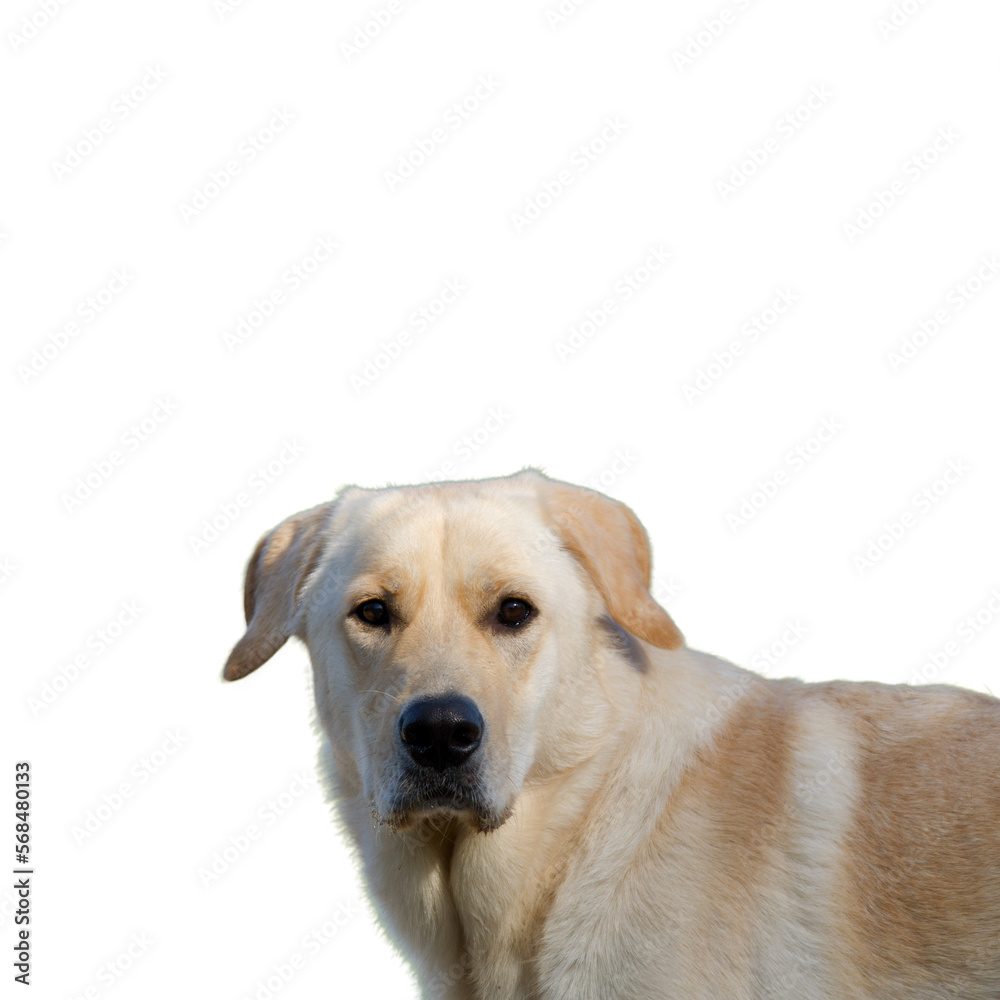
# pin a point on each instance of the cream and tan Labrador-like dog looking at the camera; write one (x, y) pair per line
(552, 797)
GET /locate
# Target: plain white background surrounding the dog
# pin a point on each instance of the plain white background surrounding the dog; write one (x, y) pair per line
(201, 759)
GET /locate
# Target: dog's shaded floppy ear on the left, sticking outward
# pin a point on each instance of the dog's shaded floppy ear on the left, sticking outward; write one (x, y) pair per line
(283, 559)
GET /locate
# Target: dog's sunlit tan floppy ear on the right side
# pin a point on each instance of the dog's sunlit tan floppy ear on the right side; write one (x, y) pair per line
(609, 541)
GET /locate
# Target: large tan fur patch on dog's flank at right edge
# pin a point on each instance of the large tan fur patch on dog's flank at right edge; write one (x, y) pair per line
(921, 875)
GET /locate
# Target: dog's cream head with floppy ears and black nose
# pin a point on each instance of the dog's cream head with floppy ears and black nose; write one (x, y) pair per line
(456, 631)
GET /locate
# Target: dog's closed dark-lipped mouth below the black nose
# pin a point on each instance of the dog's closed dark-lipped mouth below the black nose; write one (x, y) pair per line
(442, 796)
